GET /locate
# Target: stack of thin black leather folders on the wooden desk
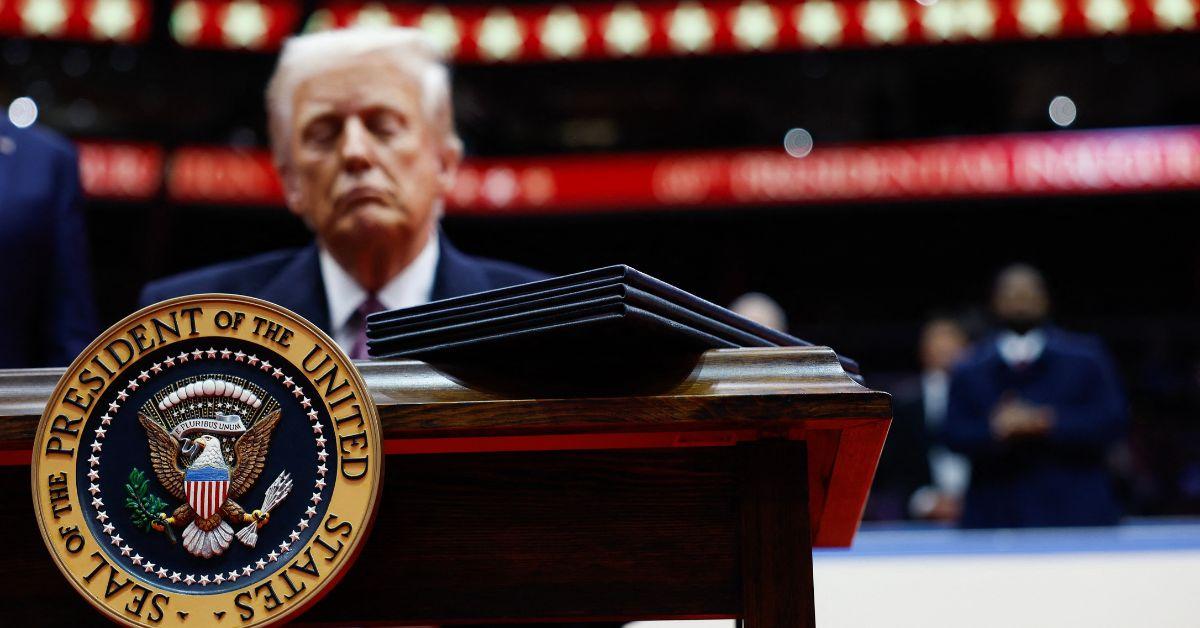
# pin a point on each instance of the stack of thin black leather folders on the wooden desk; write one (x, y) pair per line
(611, 324)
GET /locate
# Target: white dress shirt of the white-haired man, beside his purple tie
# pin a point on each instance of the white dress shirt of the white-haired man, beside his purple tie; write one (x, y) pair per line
(412, 286)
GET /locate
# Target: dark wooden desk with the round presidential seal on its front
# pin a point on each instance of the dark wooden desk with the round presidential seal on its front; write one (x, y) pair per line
(699, 497)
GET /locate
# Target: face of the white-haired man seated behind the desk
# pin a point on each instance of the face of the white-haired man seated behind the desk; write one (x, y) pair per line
(368, 169)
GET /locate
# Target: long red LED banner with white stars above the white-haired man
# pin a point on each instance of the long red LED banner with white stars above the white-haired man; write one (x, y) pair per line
(656, 28)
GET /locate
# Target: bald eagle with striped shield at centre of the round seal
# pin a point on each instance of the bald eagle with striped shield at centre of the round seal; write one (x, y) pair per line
(208, 439)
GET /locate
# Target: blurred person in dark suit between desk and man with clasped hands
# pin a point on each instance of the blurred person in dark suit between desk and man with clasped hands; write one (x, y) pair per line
(919, 476)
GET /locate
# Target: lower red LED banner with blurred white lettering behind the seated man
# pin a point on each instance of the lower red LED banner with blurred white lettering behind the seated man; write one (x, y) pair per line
(1071, 163)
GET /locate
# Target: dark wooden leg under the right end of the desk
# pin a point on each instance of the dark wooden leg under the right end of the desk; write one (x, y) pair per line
(777, 547)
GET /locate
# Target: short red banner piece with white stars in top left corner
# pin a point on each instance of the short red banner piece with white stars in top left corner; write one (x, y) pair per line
(121, 21)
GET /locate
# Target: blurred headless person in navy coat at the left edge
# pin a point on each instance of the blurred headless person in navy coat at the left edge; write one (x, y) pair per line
(49, 314)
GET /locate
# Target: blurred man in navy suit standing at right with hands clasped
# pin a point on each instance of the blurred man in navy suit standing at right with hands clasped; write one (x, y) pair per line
(1036, 410)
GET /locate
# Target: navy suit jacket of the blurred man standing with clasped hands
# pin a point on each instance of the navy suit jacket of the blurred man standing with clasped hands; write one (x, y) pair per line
(1054, 481)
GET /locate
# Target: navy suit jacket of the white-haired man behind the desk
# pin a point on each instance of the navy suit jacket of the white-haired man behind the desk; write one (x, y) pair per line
(292, 279)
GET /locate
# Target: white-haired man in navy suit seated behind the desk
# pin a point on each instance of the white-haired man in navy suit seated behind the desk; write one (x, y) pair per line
(363, 136)
